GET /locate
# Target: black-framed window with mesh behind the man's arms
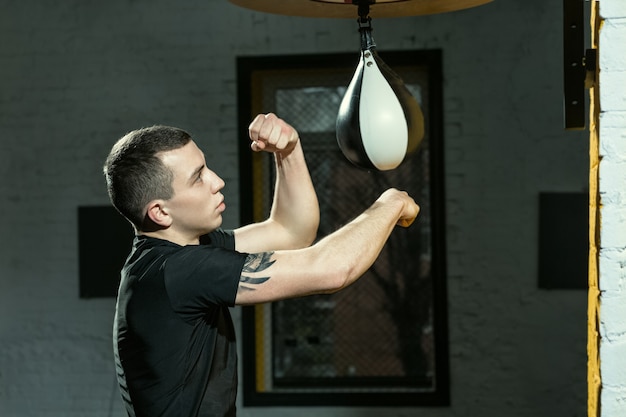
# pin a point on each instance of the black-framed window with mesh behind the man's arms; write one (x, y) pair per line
(382, 341)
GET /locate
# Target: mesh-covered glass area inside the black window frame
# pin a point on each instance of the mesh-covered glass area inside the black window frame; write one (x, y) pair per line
(379, 328)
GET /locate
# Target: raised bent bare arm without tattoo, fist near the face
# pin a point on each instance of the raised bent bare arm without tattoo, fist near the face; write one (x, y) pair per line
(294, 217)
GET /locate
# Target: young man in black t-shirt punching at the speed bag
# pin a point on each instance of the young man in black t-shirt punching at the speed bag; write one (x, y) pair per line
(173, 335)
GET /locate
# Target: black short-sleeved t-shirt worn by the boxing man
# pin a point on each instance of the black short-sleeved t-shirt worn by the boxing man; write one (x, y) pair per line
(173, 336)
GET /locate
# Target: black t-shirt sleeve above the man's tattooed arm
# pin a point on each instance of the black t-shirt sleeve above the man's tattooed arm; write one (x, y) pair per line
(199, 277)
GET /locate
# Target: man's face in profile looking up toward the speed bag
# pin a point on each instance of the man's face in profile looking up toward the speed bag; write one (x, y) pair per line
(197, 204)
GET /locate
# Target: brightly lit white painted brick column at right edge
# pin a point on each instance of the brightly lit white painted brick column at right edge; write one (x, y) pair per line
(612, 190)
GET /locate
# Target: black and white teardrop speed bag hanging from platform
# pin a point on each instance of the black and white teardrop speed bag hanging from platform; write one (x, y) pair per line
(379, 122)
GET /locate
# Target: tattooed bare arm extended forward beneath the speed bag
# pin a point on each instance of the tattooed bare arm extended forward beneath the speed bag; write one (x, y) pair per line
(331, 264)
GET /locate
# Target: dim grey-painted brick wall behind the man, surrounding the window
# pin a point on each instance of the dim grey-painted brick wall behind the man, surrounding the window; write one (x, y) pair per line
(75, 75)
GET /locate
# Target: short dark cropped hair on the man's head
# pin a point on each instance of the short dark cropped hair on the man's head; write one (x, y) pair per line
(134, 173)
